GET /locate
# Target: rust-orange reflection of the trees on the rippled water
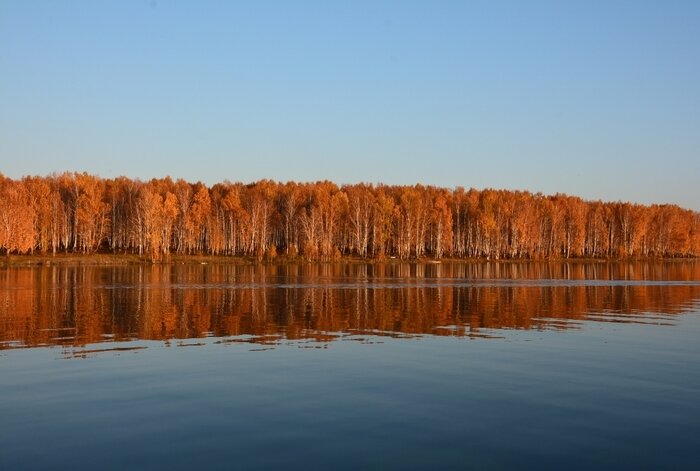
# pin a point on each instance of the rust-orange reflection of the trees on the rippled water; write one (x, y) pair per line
(79, 305)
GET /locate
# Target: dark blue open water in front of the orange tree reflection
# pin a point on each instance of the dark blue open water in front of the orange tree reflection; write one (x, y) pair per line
(605, 396)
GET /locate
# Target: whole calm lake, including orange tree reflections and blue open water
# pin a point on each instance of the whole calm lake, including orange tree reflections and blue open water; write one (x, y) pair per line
(482, 366)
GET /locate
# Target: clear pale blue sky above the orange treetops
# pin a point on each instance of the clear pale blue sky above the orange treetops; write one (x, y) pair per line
(599, 99)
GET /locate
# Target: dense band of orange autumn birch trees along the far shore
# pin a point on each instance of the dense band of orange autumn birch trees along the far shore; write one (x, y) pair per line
(83, 214)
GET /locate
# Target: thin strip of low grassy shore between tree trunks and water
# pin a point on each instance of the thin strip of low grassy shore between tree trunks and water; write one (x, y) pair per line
(111, 259)
